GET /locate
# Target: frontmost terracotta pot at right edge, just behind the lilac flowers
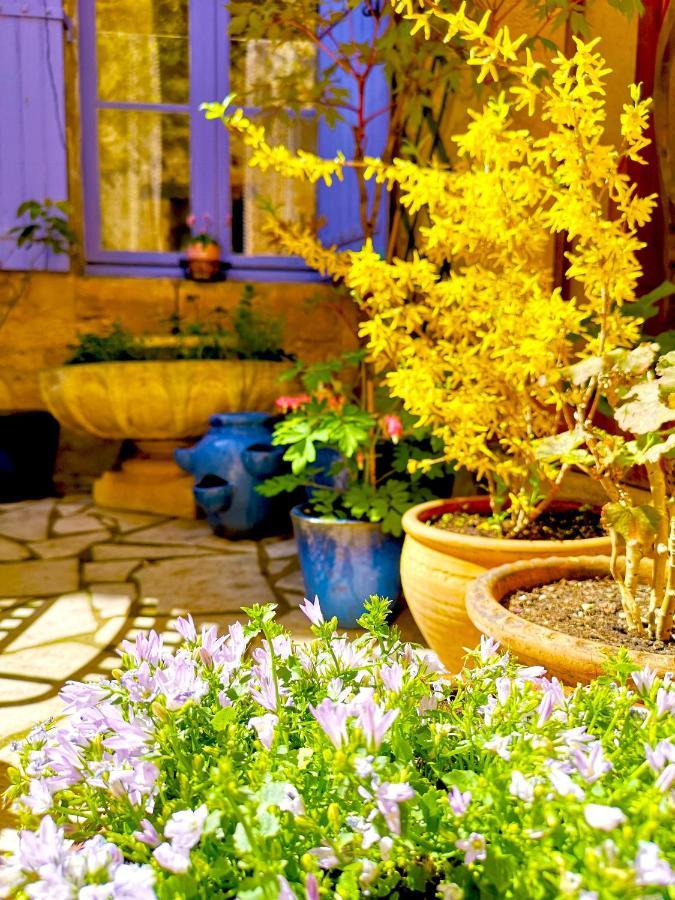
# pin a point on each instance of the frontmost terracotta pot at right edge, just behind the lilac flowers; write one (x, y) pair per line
(572, 659)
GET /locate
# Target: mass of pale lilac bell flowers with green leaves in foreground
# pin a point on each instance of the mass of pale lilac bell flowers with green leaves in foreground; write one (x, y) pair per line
(250, 766)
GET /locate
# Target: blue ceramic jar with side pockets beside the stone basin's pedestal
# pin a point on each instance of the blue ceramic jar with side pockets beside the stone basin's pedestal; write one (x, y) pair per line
(228, 463)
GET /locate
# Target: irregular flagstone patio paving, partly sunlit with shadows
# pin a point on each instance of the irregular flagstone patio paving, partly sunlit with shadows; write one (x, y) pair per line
(76, 580)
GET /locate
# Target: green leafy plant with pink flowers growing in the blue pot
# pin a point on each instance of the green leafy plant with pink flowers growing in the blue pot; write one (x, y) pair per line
(348, 446)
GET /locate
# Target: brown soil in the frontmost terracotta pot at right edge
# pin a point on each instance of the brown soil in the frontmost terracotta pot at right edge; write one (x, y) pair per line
(589, 608)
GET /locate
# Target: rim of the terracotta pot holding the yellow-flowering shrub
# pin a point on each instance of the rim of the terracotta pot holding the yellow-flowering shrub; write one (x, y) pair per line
(415, 524)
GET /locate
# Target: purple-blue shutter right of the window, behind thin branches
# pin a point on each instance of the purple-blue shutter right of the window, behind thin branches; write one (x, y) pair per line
(339, 204)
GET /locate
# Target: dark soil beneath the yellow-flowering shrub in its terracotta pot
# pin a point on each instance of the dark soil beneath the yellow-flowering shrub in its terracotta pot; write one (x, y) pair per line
(559, 524)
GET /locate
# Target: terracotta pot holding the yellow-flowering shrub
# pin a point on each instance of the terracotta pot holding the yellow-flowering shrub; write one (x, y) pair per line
(437, 566)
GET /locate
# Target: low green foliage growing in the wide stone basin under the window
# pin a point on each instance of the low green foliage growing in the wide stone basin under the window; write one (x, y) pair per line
(250, 334)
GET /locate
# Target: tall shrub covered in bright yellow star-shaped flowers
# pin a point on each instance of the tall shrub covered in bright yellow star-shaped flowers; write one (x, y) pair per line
(470, 329)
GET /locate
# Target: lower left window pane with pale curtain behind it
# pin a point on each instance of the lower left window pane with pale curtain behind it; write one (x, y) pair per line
(144, 162)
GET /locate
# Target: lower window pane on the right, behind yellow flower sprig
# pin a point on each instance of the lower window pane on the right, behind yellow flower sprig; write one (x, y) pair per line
(292, 199)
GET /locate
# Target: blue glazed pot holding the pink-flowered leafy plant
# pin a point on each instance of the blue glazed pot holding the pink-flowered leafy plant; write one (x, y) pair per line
(343, 562)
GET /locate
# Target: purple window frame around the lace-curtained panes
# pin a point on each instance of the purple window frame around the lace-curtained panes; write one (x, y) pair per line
(209, 155)
